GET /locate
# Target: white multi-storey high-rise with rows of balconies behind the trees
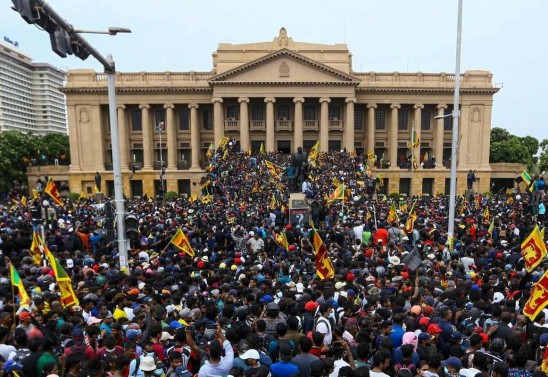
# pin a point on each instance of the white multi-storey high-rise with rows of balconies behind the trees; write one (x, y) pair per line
(30, 99)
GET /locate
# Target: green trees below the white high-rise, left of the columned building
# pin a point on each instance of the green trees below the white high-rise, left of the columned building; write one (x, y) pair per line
(19, 151)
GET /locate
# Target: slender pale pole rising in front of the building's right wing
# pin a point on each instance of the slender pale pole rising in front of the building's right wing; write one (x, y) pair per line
(455, 135)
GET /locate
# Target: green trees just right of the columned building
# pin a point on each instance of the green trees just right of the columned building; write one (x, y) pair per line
(506, 147)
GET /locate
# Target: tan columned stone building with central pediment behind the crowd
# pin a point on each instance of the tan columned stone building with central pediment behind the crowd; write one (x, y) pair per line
(282, 94)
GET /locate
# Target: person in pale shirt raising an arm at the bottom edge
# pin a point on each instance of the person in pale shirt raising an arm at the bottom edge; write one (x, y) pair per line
(218, 365)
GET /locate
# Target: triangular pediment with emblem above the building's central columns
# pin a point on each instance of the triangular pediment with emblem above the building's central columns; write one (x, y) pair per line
(283, 66)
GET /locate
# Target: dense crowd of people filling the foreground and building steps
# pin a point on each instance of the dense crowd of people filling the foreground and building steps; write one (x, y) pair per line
(243, 305)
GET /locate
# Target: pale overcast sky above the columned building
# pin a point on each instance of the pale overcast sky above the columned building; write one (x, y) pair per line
(506, 37)
